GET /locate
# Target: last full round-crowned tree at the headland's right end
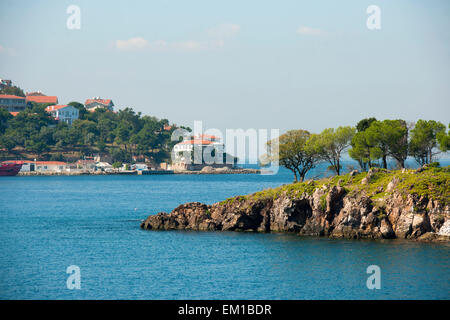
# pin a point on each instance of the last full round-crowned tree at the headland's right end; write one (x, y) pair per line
(424, 140)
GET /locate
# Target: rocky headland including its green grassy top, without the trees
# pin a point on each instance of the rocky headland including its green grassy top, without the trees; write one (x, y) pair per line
(380, 204)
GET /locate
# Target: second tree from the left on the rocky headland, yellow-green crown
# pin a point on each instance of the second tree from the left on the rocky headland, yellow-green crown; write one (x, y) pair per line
(330, 144)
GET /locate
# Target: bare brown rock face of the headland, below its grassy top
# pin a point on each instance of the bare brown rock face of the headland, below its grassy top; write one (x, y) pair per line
(330, 211)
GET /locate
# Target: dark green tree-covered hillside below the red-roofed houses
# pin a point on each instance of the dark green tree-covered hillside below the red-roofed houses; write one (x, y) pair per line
(120, 135)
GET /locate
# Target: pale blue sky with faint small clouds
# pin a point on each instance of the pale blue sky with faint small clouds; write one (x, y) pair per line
(285, 64)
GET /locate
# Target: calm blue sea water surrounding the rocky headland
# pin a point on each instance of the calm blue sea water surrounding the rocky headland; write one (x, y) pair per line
(49, 223)
